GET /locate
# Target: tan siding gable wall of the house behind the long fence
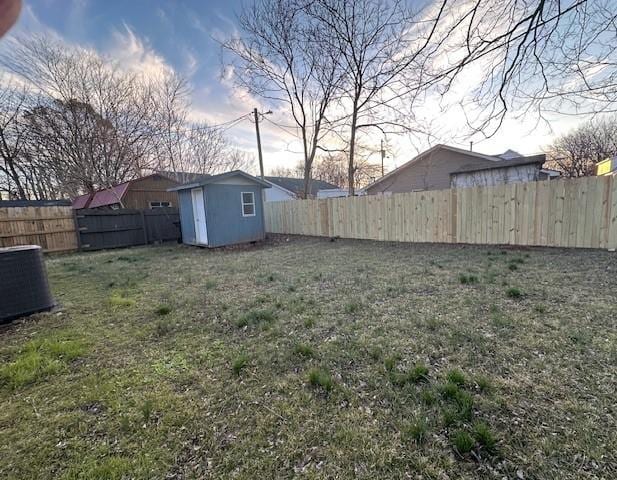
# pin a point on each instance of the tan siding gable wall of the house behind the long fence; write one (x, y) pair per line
(431, 172)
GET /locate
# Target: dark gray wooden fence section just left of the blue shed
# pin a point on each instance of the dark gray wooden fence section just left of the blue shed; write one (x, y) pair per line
(100, 229)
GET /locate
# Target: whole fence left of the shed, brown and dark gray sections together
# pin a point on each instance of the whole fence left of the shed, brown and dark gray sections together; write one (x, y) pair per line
(62, 229)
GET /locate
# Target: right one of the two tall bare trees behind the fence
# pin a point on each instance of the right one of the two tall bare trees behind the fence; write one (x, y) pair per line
(375, 46)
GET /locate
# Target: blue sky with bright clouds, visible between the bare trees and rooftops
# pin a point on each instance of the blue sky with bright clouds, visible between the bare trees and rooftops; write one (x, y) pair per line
(154, 35)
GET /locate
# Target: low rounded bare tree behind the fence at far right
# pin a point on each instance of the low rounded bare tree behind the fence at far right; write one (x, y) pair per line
(576, 153)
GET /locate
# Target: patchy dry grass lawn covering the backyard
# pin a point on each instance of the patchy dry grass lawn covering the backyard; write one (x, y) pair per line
(315, 359)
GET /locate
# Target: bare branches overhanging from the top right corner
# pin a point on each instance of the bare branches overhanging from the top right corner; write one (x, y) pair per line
(522, 57)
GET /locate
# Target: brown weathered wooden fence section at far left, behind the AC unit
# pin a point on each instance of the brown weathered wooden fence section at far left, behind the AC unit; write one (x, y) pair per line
(51, 227)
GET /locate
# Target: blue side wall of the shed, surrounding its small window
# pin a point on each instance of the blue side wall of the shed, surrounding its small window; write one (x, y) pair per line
(226, 225)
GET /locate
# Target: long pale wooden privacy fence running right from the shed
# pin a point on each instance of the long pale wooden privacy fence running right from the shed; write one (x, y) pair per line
(558, 213)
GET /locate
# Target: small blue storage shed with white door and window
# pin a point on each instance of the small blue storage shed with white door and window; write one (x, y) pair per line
(217, 210)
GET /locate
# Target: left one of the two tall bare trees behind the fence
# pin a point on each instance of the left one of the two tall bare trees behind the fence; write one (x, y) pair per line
(280, 57)
